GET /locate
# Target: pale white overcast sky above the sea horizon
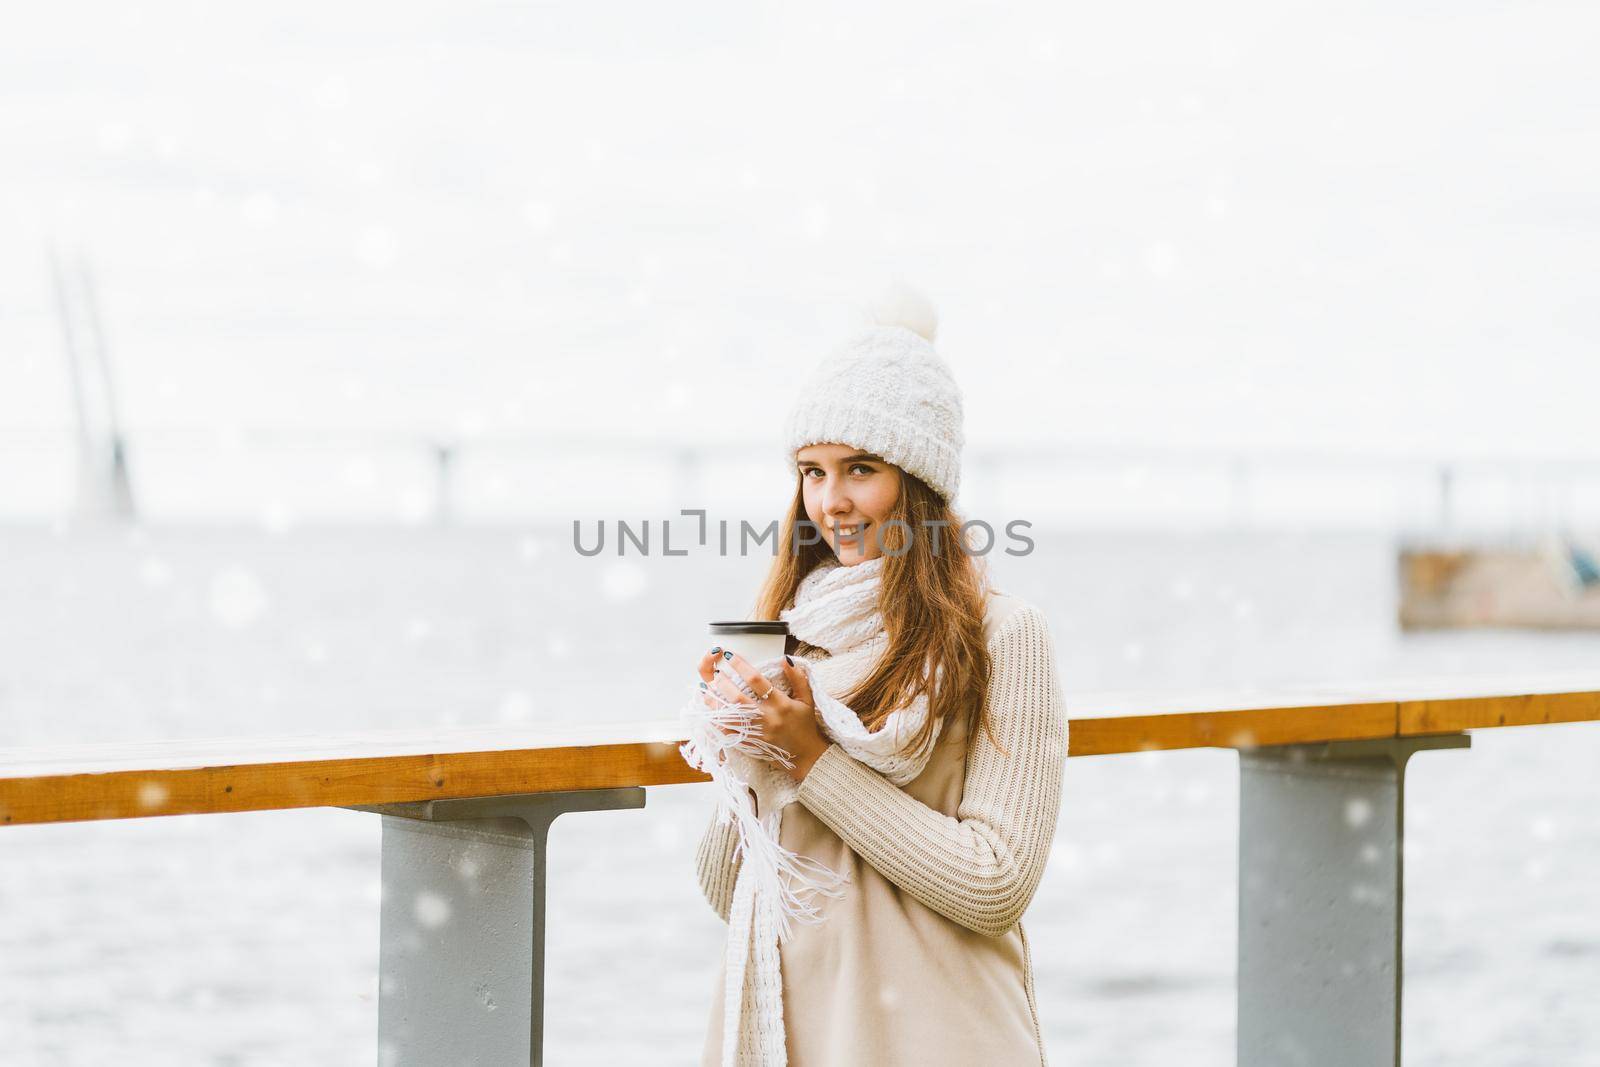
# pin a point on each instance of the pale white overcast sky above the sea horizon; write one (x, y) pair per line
(1362, 226)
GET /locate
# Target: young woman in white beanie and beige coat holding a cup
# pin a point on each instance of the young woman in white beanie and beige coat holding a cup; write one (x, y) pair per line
(935, 802)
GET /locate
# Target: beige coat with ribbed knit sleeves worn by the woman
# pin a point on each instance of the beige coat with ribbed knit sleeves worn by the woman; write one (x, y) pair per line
(924, 961)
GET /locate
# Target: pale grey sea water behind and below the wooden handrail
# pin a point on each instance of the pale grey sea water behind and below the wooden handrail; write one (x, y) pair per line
(254, 938)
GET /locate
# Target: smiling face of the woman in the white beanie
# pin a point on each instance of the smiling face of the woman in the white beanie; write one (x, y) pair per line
(847, 487)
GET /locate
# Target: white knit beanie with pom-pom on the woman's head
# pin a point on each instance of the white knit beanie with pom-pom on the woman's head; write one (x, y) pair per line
(887, 393)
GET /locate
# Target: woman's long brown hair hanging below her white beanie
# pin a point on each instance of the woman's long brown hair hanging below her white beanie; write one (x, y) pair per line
(934, 612)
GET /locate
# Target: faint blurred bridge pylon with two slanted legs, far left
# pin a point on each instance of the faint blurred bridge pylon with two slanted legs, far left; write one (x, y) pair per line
(105, 489)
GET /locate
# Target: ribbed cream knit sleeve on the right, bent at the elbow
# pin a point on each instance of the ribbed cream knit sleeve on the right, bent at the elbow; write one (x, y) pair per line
(982, 868)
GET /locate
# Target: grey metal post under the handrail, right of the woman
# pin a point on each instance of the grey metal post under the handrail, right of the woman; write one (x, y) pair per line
(1321, 901)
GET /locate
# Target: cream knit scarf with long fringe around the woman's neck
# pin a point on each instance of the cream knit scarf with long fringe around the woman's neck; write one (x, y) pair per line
(838, 610)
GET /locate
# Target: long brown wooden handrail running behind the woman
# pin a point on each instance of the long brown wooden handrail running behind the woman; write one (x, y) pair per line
(127, 781)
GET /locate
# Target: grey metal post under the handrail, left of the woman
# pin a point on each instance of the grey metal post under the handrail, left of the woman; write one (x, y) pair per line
(462, 943)
